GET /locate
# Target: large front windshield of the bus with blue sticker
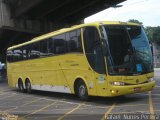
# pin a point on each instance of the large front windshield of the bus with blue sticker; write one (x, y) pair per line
(128, 49)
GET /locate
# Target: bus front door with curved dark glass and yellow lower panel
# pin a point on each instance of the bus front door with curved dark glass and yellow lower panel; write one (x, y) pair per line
(95, 57)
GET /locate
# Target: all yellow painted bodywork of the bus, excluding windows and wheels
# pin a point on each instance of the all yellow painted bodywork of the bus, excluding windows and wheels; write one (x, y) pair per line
(63, 70)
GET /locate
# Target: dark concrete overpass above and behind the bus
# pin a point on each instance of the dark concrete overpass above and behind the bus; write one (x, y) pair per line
(21, 20)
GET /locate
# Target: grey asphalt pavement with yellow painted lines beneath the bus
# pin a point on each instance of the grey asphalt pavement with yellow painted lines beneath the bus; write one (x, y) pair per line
(57, 106)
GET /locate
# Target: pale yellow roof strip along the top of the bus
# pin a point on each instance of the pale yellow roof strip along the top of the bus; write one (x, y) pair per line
(63, 30)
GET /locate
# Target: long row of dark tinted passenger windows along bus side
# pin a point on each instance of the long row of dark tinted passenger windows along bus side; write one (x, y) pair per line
(60, 44)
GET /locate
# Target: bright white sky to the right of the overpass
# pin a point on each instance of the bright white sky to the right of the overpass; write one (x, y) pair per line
(146, 11)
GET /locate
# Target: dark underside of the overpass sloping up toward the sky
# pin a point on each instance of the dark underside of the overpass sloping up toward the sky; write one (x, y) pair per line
(62, 10)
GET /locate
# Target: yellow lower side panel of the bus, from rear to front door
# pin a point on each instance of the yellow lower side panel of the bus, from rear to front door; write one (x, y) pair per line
(61, 70)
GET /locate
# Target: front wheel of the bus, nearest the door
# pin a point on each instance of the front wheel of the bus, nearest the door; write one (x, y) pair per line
(81, 90)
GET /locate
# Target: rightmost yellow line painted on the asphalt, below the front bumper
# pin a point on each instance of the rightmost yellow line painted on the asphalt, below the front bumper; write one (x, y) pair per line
(151, 110)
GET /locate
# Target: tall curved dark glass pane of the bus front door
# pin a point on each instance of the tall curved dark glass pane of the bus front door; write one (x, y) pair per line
(93, 49)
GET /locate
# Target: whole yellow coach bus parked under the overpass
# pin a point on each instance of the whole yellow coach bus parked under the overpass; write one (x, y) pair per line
(95, 59)
